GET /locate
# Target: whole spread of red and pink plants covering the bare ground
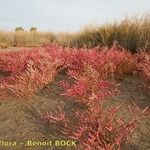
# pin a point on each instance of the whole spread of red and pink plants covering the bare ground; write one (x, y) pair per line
(93, 72)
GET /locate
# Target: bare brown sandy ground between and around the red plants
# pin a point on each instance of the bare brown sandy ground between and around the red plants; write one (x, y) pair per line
(20, 121)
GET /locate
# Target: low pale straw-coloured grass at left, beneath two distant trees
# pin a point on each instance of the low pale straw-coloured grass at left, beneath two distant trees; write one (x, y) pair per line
(25, 39)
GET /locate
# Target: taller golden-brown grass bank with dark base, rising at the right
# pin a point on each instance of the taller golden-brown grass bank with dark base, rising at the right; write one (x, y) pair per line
(131, 33)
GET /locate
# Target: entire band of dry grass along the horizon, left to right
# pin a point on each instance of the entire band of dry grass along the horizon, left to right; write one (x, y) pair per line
(132, 34)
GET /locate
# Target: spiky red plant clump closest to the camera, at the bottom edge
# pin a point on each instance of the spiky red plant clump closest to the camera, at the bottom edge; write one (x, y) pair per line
(95, 128)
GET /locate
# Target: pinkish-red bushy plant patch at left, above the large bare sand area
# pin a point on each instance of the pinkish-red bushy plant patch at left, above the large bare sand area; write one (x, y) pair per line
(28, 71)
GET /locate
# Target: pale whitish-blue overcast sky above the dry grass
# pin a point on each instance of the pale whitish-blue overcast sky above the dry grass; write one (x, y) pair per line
(66, 15)
